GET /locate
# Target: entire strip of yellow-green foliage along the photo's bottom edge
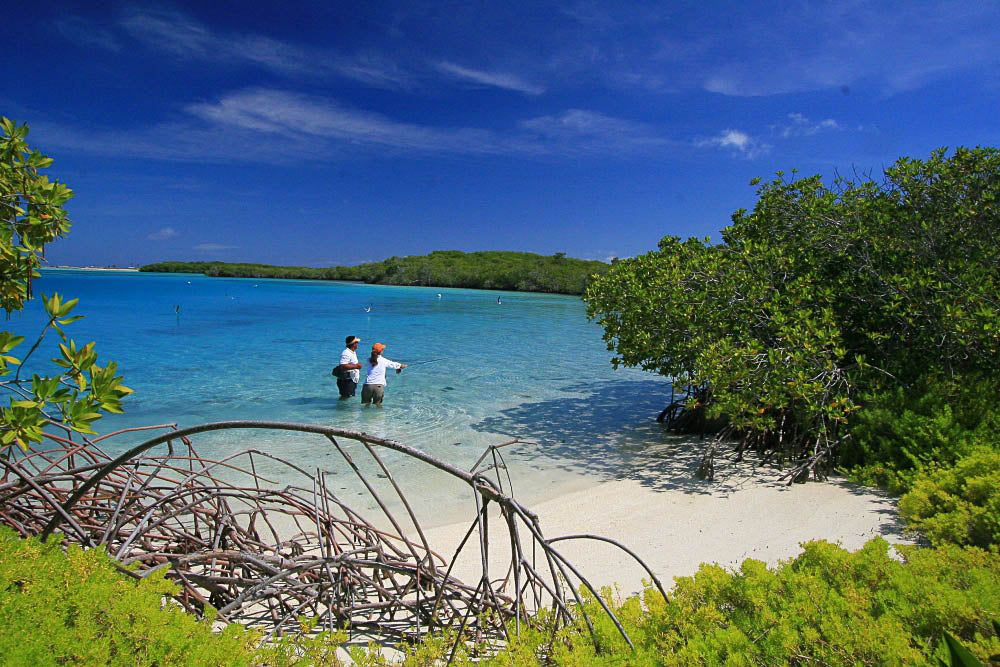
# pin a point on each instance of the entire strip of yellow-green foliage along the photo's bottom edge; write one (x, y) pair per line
(827, 606)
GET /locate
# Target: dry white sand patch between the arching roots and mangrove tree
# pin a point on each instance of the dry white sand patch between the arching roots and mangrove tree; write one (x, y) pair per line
(744, 513)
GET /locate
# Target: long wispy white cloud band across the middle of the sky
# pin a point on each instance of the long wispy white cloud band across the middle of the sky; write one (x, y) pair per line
(276, 126)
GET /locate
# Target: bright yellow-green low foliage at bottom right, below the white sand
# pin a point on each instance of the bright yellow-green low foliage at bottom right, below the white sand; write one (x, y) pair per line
(827, 606)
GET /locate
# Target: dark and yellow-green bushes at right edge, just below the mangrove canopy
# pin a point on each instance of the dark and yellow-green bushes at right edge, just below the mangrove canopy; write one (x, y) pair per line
(937, 443)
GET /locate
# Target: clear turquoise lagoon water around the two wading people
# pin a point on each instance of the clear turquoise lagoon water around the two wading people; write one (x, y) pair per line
(198, 349)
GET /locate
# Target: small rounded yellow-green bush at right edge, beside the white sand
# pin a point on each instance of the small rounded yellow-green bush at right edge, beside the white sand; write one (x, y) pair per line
(958, 504)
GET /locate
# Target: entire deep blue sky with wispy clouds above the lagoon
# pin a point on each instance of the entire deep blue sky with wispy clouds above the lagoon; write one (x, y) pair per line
(323, 133)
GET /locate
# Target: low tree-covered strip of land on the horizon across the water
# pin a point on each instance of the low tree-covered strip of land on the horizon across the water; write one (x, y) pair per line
(496, 270)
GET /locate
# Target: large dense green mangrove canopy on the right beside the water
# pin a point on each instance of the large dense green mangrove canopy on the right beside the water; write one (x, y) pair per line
(818, 297)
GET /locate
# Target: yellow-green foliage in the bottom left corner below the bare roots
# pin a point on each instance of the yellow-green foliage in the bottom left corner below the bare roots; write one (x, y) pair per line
(75, 608)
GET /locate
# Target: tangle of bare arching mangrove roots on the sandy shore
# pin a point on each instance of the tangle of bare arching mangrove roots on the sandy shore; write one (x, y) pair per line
(264, 557)
